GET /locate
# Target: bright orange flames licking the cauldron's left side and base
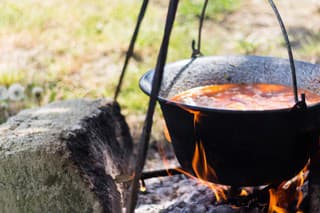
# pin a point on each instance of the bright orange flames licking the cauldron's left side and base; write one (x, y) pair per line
(286, 194)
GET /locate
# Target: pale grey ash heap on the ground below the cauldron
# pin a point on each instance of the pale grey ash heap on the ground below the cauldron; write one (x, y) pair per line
(178, 194)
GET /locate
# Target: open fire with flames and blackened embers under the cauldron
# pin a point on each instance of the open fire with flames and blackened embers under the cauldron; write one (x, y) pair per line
(283, 198)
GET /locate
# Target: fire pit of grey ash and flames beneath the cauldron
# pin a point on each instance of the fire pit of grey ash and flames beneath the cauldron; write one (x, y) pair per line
(179, 193)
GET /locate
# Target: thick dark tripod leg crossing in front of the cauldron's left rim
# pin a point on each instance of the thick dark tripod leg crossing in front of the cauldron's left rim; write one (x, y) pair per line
(156, 84)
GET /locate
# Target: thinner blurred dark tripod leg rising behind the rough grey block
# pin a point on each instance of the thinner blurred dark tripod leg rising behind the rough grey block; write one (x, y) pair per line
(131, 47)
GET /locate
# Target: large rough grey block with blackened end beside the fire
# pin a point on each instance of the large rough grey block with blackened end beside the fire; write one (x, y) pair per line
(64, 157)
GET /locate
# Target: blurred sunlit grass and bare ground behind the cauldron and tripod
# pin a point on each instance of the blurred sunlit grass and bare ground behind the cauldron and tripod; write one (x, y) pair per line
(55, 49)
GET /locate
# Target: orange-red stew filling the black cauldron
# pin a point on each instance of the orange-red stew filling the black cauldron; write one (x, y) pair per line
(243, 96)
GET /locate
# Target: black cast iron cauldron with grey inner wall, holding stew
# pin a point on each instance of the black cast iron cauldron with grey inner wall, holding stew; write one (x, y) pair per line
(245, 148)
